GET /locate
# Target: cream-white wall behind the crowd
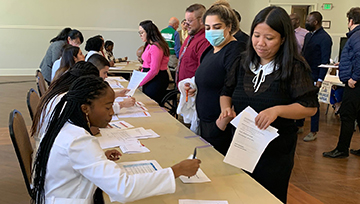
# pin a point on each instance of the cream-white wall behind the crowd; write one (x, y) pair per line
(26, 27)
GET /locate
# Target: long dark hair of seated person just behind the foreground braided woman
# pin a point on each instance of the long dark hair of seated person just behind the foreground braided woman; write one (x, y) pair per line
(59, 86)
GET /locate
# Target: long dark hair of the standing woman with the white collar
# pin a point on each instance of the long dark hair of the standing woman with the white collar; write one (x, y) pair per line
(278, 20)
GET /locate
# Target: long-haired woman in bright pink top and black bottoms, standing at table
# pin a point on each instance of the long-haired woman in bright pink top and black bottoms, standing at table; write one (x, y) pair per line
(155, 59)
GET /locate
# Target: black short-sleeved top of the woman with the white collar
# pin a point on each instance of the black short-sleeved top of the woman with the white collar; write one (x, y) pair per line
(298, 89)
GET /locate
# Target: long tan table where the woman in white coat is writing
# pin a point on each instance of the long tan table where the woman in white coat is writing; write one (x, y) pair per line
(175, 144)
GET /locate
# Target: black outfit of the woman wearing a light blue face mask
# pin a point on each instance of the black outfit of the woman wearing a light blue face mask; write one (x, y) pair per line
(209, 79)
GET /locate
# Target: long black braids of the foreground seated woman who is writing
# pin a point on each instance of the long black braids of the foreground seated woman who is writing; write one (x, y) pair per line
(84, 90)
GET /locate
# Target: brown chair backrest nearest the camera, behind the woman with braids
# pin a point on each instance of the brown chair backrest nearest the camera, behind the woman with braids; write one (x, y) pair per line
(22, 145)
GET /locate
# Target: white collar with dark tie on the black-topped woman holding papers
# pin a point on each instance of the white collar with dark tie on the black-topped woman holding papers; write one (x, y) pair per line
(261, 72)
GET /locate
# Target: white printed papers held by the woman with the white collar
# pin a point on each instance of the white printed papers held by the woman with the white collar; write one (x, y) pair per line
(249, 142)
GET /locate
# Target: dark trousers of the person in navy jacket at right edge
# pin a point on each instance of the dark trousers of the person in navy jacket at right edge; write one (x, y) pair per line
(349, 112)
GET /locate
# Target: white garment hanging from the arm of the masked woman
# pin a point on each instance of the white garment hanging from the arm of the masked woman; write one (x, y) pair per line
(188, 109)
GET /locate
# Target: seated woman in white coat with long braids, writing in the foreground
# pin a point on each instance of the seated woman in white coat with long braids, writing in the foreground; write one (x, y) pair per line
(70, 162)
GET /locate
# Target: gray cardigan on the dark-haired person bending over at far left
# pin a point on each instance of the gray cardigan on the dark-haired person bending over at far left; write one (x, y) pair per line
(52, 54)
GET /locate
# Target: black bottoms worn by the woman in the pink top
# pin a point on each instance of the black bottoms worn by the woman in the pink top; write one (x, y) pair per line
(156, 88)
